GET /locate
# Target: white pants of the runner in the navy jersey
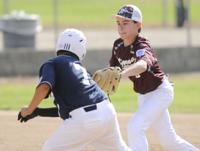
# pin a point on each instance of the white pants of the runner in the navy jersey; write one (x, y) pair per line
(98, 128)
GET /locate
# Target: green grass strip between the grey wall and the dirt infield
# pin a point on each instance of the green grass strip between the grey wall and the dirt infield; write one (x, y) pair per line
(15, 95)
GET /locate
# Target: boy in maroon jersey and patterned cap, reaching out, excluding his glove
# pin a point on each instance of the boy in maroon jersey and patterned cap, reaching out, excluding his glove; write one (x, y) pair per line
(134, 54)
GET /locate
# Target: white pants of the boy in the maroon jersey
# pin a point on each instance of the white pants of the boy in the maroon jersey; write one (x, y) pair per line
(153, 113)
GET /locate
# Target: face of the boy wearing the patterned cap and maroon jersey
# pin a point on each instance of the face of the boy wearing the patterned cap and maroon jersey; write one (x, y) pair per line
(127, 29)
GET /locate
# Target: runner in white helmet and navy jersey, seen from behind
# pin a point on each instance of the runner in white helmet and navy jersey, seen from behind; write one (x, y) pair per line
(89, 117)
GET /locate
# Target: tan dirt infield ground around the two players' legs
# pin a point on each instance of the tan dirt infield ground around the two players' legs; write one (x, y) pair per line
(15, 136)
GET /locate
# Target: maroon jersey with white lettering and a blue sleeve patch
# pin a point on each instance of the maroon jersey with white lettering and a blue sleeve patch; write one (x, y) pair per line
(140, 49)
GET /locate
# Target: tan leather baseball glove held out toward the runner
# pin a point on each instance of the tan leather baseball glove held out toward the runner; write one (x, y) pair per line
(108, 79)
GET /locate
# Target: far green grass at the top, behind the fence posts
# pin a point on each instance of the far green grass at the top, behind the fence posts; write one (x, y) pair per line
(98, 13)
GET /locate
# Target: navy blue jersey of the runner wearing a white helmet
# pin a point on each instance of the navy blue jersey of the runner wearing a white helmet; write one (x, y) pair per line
(70, 83)
